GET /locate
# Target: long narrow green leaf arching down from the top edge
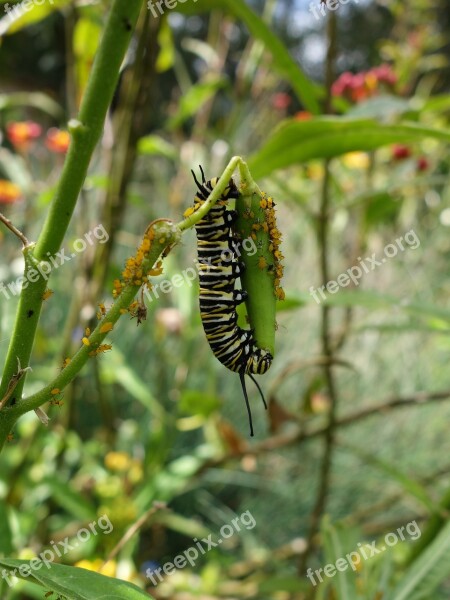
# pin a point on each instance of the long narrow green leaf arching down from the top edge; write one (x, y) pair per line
(283, 63)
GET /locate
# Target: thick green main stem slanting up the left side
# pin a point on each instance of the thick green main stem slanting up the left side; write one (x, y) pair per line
(86, 132)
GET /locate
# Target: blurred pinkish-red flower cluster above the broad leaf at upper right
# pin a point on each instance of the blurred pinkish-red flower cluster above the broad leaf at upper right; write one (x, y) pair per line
(356, 87)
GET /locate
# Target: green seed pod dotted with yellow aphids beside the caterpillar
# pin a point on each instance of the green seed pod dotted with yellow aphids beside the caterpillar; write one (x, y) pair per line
(263, 269)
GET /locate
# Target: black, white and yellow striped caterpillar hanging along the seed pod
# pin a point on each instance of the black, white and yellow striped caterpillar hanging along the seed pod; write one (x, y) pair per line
(233, 346)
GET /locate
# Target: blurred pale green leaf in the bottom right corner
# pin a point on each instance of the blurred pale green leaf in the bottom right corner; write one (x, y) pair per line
(427, 572)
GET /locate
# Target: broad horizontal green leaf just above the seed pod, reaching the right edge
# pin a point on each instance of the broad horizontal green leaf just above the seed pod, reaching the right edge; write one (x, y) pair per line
(294, 142)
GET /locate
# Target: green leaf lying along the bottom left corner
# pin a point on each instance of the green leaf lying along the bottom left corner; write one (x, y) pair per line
(76, 583)
